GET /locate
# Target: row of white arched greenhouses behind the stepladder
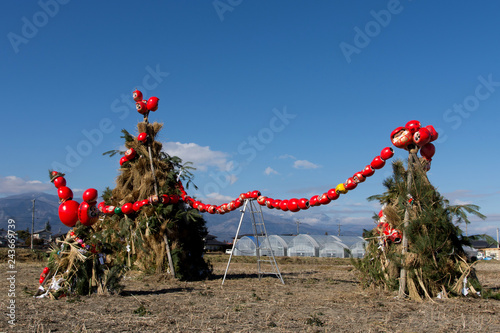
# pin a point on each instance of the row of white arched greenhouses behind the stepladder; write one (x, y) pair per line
(303, 246)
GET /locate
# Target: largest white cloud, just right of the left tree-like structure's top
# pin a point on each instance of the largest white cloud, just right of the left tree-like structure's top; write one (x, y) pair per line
(202, 157)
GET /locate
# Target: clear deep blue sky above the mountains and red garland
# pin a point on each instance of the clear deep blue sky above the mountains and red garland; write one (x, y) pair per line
(290, 98)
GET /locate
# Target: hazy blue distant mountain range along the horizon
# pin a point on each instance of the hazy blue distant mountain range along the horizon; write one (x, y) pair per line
(19, 207)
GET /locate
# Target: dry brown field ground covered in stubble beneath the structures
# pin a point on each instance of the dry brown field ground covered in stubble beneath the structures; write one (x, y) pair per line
(319, 295)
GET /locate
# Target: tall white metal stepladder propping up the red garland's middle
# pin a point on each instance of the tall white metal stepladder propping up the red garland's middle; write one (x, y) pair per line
(263, 251)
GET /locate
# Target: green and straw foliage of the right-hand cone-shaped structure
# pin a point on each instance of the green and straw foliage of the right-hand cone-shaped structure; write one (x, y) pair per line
(435, 243)
